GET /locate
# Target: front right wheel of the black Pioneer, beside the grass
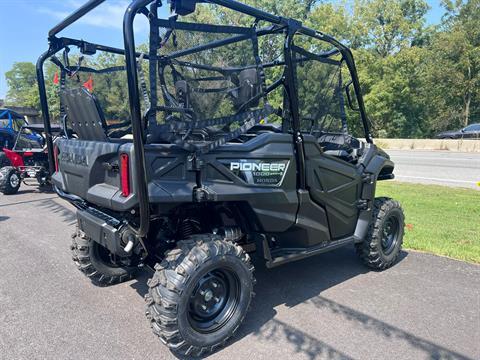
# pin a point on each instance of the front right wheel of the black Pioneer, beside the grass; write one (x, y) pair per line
(383, 243)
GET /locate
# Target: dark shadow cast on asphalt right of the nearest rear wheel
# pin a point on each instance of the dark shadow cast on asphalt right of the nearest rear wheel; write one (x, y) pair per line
(303, 282)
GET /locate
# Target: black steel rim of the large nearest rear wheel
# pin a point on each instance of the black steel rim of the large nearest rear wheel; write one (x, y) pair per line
(214, 300)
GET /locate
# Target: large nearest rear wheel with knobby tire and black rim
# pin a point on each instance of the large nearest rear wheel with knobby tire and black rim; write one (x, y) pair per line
(200, 294)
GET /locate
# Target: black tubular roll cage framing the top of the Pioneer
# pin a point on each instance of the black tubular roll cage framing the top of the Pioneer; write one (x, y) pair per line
(141, 125)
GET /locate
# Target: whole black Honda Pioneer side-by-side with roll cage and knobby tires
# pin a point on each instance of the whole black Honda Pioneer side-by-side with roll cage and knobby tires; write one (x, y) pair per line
(239, 144)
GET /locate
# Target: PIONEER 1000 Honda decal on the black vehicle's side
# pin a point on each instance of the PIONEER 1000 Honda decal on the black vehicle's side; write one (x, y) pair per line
(258, 172)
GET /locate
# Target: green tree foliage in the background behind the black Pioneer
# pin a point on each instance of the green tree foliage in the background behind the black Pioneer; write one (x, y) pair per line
(417, 79)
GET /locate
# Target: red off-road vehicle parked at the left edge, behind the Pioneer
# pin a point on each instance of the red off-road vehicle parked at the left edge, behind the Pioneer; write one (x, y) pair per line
(27, 159)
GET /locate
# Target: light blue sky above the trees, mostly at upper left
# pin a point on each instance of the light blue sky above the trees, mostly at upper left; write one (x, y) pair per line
(25, 25)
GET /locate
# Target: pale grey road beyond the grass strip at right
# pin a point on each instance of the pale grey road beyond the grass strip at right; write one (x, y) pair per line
(437, 167)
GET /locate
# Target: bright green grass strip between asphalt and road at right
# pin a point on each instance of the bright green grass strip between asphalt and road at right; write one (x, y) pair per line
(439, 219)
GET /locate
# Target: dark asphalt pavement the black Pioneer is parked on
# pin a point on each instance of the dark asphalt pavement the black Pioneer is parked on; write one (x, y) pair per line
(327, 307)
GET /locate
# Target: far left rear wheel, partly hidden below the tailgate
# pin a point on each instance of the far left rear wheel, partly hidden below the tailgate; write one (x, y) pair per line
(98, 263)
